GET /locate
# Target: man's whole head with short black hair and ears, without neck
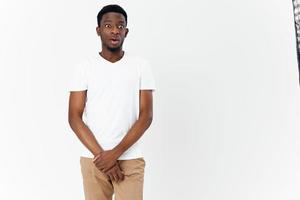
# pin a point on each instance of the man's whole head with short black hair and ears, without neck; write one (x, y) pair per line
(112, 22)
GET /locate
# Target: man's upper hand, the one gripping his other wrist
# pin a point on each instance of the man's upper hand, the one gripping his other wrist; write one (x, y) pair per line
(105, 160)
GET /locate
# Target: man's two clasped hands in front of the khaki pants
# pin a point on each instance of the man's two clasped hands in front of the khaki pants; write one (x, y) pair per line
(107, 162)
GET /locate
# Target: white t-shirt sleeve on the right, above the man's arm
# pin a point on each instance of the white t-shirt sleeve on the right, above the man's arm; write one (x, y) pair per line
(147, 80)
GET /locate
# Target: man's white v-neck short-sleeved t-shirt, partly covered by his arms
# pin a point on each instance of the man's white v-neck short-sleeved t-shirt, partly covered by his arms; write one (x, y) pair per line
(112, 103)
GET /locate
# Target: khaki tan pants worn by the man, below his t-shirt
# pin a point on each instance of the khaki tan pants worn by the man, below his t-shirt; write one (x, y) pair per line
(97, 185)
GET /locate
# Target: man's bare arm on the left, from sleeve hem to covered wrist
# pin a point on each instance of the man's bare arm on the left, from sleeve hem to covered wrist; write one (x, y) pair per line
(76, 107)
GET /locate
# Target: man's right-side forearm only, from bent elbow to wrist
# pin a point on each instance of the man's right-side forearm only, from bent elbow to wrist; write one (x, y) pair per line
(134, 133)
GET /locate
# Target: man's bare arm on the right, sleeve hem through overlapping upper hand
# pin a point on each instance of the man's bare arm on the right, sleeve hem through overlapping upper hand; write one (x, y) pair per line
(106, 159)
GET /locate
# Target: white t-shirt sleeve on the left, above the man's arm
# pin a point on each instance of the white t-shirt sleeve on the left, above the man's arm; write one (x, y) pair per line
(78, 78)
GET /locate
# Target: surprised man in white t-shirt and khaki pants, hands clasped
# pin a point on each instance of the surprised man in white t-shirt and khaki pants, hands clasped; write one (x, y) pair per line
(114, 90)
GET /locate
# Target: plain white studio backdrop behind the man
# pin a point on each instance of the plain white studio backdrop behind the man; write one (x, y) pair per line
(226, 110)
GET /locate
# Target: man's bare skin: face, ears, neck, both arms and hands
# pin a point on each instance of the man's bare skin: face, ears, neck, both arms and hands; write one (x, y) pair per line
(112, 31)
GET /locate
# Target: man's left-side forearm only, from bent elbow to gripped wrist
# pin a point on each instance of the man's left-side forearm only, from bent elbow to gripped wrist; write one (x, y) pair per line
(85, 135)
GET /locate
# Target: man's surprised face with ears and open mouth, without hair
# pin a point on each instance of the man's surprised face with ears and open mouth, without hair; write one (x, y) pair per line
(112, 31)
